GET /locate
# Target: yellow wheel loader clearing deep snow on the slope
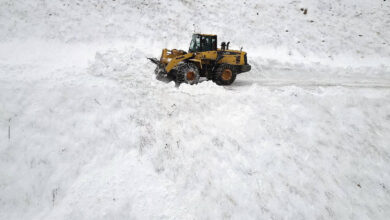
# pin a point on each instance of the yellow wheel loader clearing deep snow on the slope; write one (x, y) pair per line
(203, 59)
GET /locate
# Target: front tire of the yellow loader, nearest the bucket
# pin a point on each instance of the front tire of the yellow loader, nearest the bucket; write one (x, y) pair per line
(187, 73)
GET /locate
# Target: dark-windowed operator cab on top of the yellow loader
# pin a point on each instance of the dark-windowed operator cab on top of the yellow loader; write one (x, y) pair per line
(203, 42)
